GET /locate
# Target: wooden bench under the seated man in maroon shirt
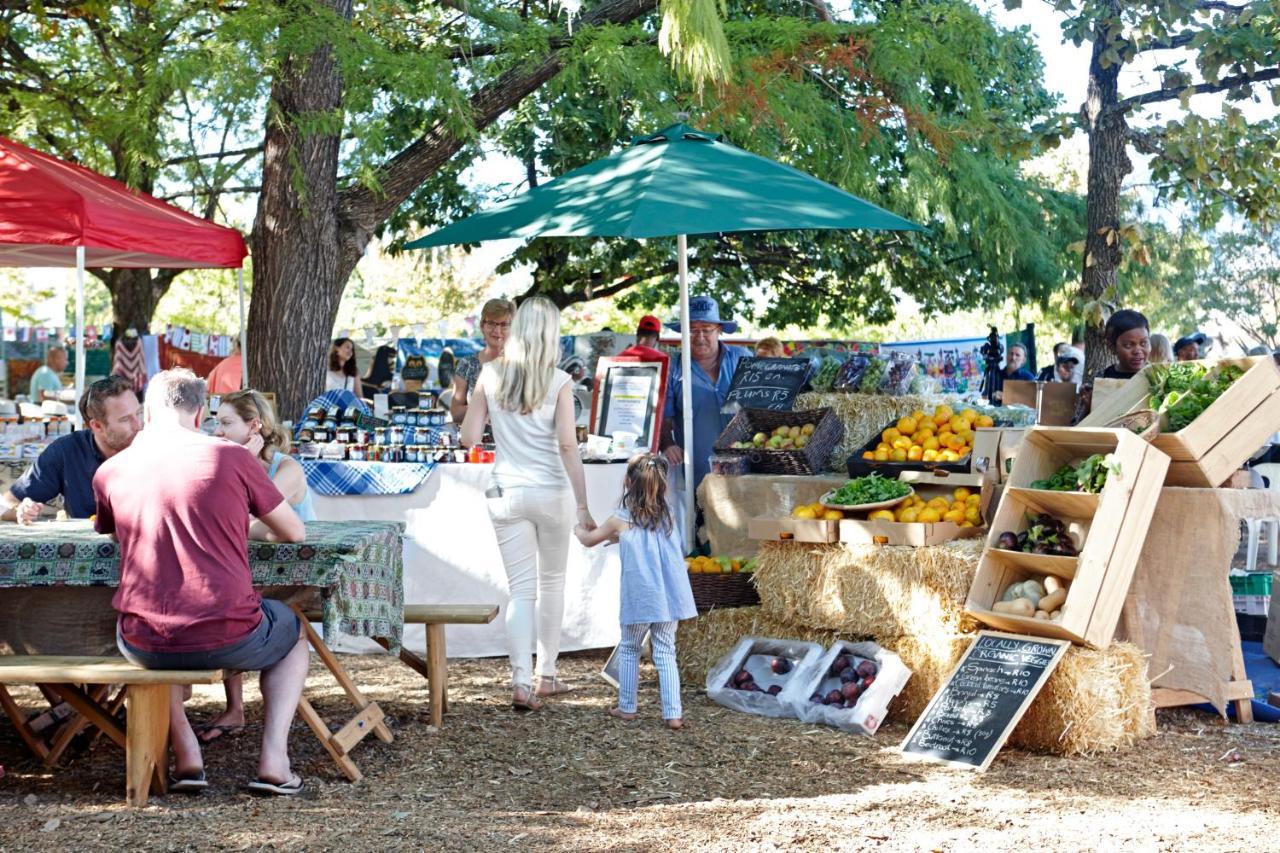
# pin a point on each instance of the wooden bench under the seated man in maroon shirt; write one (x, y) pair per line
(145, 737)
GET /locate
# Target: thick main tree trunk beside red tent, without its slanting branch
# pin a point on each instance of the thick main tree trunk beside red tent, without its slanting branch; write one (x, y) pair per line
(295, 238)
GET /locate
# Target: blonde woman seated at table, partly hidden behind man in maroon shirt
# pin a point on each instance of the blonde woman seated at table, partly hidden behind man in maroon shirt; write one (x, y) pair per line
(248, 419)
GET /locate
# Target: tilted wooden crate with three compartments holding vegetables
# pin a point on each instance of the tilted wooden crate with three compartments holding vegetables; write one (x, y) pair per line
(1108, 530)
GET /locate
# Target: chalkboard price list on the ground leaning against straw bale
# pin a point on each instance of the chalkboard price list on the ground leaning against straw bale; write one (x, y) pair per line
(971, 718)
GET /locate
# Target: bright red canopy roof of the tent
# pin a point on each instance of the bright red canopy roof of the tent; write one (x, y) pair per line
(49, 207)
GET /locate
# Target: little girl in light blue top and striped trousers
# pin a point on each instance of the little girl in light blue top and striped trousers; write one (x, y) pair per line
(656, 594)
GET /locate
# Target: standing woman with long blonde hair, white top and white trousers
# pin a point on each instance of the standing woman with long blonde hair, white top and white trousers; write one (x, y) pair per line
(537, 483)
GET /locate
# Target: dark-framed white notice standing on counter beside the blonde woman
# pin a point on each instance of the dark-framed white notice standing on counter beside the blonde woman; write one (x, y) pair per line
(629, 396)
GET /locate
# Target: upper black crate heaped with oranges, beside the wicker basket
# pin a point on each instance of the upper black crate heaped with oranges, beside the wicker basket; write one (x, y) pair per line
(941, 440)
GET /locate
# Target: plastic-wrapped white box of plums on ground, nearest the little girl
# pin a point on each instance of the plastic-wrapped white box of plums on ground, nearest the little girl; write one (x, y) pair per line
(756, 673)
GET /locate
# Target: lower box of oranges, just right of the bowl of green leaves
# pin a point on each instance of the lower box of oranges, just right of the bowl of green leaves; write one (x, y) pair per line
(932, 516)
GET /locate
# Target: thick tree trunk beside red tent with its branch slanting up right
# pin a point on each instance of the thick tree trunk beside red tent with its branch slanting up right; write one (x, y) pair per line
(308, 238)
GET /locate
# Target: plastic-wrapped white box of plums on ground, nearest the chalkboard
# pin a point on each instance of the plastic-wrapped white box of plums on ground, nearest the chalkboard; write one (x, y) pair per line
(849, 687)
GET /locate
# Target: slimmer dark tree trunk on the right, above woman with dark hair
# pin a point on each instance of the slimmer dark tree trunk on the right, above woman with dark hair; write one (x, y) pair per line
(1109, 165)
